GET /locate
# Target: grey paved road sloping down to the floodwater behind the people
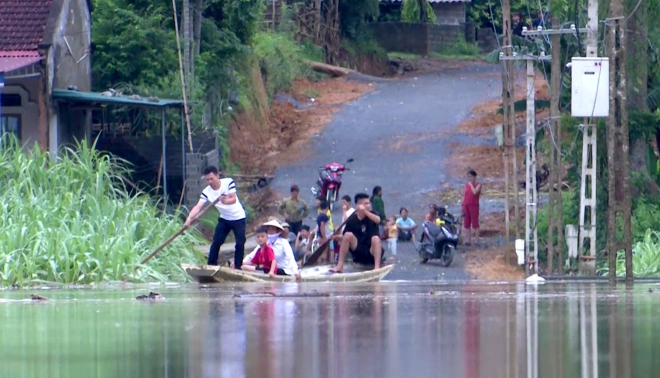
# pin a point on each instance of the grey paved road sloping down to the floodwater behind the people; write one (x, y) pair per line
(395, 136)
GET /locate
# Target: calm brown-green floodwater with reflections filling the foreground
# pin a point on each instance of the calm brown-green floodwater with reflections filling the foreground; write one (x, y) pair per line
(387, 329)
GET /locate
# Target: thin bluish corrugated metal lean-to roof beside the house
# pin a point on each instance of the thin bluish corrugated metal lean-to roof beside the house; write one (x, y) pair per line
(101, 99)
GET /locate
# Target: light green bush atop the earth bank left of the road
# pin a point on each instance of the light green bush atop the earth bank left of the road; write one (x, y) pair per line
(280, 60)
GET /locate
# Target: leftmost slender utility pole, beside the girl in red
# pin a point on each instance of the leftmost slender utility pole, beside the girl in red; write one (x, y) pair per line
(508, 126)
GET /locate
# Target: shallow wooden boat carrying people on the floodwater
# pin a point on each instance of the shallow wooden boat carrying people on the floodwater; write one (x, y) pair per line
(211, 273)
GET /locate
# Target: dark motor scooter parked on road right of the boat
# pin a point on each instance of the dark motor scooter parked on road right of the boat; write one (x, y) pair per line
(439, 239)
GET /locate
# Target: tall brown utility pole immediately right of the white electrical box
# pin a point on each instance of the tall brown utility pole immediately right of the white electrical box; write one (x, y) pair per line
(618, 159)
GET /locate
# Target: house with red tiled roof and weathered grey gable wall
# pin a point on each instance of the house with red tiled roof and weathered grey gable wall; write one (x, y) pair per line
(44, 46)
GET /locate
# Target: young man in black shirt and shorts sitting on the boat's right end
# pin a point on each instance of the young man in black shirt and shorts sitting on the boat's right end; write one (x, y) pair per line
(361, 236)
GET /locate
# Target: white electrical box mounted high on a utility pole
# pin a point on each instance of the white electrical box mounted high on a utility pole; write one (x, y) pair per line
(590, 95)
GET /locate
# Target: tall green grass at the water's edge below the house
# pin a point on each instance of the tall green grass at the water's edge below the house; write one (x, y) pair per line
(72, 221)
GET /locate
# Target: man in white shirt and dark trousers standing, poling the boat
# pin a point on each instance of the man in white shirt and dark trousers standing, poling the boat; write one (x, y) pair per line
(232, 214)
